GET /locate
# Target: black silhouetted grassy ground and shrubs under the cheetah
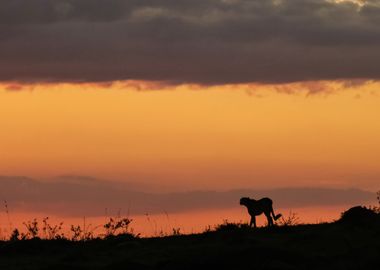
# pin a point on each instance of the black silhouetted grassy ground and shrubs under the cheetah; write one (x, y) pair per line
(337, 245)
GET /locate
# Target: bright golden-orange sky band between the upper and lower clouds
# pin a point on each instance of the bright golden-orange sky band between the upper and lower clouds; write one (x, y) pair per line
(193, 136)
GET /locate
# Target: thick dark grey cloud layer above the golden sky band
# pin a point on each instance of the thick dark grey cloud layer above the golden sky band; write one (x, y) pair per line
(182, 41)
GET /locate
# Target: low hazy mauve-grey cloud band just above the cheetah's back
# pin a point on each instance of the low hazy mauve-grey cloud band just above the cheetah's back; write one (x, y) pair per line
(83, 196)
